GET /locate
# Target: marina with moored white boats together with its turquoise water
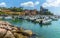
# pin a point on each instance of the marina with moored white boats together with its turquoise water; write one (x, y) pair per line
(37, 24)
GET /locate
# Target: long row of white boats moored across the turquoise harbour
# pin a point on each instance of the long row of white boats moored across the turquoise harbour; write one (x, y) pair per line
(38, 18)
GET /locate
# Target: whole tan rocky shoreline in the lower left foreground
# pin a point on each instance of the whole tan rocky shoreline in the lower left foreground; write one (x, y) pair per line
(7, 30)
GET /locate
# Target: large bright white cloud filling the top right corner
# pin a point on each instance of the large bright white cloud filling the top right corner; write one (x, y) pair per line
(51, 3)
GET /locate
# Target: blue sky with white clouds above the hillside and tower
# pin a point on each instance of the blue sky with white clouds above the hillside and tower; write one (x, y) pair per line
(52, 5)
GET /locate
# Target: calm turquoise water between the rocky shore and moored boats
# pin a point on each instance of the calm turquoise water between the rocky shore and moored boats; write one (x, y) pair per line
(43, 31)
